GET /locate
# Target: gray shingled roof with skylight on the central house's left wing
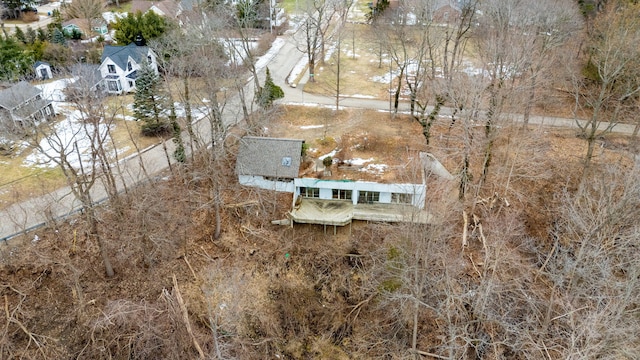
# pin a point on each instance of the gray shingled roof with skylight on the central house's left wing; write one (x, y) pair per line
(269, 157)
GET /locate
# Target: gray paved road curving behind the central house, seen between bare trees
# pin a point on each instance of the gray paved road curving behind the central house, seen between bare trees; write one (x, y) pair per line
(38, 211)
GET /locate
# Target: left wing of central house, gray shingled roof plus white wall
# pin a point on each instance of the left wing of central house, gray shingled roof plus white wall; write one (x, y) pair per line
(269, 163)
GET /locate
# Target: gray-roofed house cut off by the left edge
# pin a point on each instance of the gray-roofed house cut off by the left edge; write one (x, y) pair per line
(23, 104)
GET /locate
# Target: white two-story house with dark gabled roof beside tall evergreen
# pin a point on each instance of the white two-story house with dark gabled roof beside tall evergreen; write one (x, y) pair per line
(120, 64)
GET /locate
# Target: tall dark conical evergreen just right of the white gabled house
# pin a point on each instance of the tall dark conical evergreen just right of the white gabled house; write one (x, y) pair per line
(149, 102)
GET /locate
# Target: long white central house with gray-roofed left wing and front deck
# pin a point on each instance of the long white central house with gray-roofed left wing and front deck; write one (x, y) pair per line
(273, 164)
